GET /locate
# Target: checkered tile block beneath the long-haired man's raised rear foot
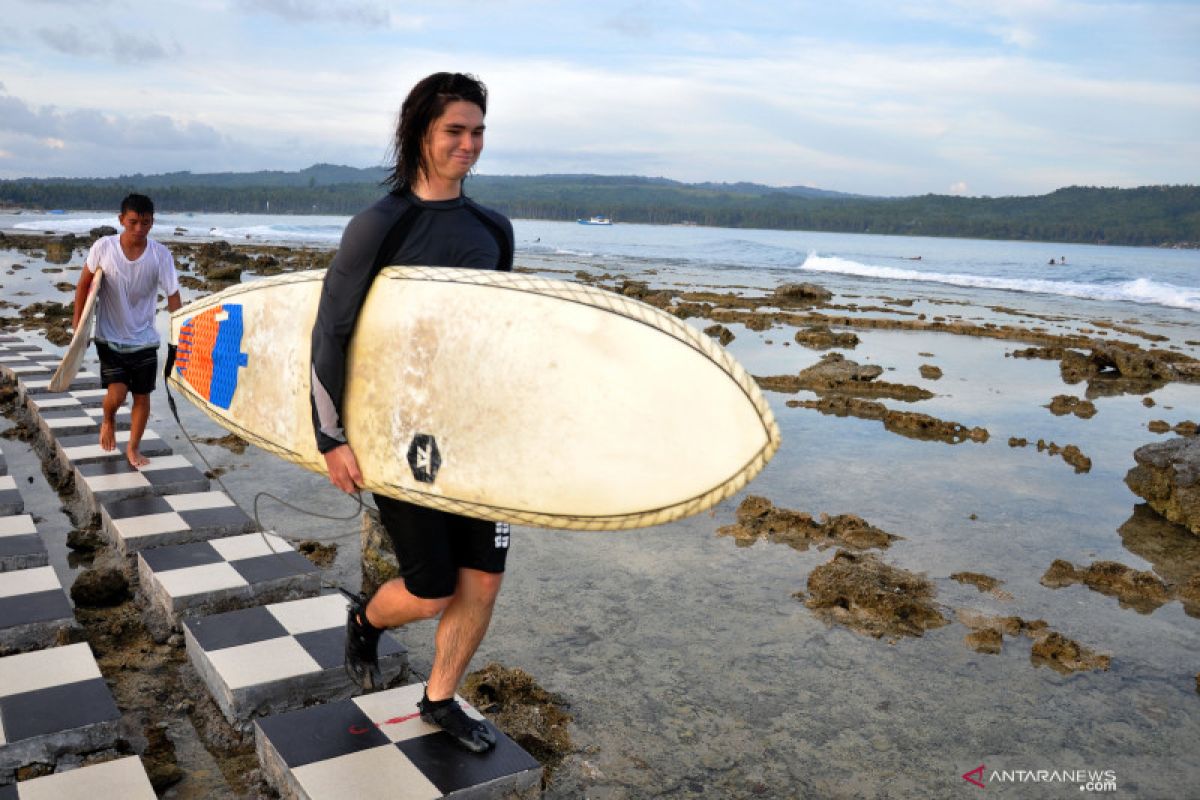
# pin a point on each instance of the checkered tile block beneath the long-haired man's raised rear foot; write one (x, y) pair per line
(280, 657)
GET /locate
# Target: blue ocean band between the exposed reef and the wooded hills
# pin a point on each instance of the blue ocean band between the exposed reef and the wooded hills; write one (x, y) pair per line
(1142, 278)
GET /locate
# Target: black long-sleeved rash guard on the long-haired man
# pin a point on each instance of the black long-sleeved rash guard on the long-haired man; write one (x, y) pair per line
(445, 233)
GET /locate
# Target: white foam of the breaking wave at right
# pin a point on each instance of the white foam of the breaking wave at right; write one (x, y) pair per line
(1142, 291)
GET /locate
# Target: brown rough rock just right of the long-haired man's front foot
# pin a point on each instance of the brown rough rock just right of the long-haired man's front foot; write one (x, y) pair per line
(536, 719)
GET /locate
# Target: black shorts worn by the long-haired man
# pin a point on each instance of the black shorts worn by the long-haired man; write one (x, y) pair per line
(433, 546)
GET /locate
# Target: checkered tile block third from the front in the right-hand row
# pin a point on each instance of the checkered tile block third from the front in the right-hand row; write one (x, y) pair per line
(191, 581)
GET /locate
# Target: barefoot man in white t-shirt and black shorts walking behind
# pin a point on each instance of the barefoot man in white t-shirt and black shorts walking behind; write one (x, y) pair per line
(136, 269)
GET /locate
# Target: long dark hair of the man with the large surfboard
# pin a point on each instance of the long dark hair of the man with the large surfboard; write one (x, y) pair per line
(427, 103)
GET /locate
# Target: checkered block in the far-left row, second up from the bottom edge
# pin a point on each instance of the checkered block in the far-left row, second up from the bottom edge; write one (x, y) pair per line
(53, 702)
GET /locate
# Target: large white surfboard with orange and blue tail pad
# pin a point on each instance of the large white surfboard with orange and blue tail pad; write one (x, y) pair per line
(495, 395)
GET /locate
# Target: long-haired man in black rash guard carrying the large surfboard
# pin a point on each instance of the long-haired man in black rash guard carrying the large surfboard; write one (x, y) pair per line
(452, 567)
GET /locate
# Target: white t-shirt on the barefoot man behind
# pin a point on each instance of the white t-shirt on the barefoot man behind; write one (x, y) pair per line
(125, 308)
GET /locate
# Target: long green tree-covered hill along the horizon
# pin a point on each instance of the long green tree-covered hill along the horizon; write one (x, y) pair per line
(1149, 215)
